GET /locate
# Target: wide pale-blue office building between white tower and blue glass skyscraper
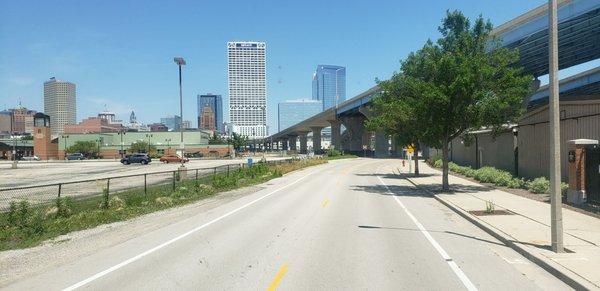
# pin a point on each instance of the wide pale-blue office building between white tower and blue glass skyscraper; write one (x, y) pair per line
(294, 111)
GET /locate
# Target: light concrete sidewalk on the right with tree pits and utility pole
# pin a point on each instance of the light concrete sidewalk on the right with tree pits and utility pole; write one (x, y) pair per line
(527, 230)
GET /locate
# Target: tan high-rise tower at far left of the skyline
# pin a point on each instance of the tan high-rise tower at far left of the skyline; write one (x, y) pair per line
(60, 104)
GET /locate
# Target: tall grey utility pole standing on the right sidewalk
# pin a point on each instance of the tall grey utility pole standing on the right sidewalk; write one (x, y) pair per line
(553, 111)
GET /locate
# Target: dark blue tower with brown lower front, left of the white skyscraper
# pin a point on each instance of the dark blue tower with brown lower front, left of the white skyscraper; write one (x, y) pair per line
(210, 112)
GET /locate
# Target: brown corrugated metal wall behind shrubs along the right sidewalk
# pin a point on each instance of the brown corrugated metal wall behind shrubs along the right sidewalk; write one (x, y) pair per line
(579, 119)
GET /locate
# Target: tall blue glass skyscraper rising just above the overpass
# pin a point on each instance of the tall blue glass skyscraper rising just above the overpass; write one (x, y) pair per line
(329, 85)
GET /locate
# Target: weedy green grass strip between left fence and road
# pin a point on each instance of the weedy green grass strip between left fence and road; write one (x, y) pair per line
(25, 225)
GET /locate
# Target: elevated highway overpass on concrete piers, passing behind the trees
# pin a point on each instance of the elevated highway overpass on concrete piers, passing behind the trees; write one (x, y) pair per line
(579, 42)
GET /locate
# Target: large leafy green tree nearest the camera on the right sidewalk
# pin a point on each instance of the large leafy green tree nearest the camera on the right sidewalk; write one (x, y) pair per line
(462, 82)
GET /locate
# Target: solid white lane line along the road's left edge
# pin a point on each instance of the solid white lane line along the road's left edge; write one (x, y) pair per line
(154, 249)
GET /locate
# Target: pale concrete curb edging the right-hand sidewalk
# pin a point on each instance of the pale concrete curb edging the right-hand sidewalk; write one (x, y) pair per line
(560, 272)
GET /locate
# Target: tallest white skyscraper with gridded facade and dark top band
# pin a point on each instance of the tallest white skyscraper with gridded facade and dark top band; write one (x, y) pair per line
(247, 88)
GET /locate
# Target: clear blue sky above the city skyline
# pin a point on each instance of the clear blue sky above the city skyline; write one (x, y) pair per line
(120, 53)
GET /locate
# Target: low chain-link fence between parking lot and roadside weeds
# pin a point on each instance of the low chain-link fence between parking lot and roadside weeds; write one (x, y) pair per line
(47, 193)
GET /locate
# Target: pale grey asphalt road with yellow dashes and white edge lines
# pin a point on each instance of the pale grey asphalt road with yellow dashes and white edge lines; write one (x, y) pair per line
(347, 225)
